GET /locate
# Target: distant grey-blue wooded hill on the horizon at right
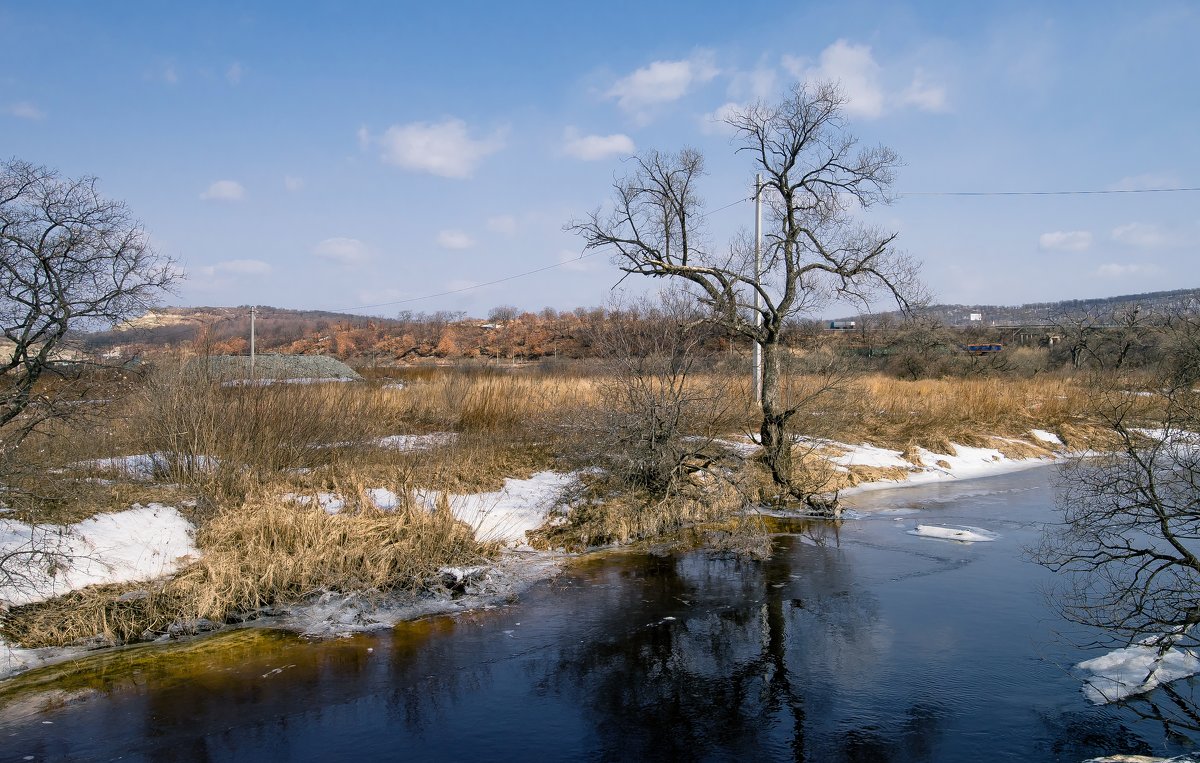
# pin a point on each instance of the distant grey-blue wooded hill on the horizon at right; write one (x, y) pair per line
(1043, 313)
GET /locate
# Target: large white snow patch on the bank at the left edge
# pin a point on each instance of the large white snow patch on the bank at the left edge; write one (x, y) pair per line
(139, 544)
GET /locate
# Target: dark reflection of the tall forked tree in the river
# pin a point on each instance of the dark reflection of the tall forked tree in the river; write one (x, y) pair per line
(735, 677)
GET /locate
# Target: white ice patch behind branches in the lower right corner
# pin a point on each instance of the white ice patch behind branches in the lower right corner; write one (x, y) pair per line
(1135, 670)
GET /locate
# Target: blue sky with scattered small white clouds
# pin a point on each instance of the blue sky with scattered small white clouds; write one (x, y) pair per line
(332, 157)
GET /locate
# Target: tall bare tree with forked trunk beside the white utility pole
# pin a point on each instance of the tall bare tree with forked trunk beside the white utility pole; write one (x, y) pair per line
(815, 179)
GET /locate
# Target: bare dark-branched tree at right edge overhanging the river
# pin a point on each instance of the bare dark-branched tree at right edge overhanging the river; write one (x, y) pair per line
(1129, 548)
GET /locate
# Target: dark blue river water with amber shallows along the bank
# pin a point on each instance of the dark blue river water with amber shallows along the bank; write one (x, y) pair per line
(860, 642)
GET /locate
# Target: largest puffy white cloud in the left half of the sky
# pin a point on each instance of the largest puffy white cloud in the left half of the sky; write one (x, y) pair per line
(445, 148)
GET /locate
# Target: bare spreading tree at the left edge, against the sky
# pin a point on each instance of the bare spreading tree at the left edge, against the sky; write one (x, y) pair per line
(70, 260)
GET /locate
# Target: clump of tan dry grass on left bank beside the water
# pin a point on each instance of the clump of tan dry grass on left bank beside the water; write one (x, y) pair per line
(265, 552)
